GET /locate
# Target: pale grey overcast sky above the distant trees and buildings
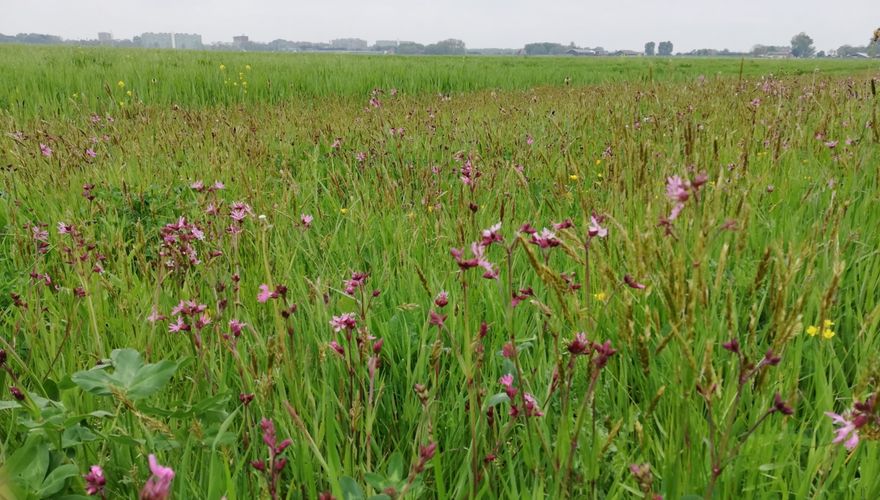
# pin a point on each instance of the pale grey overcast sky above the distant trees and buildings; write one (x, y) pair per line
(619, 24)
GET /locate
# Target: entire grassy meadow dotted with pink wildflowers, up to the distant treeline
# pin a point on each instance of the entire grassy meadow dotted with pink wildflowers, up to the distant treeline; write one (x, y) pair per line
(684, 279)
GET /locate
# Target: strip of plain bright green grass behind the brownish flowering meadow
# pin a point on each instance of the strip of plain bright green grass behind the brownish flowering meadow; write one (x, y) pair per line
(40, 81)
